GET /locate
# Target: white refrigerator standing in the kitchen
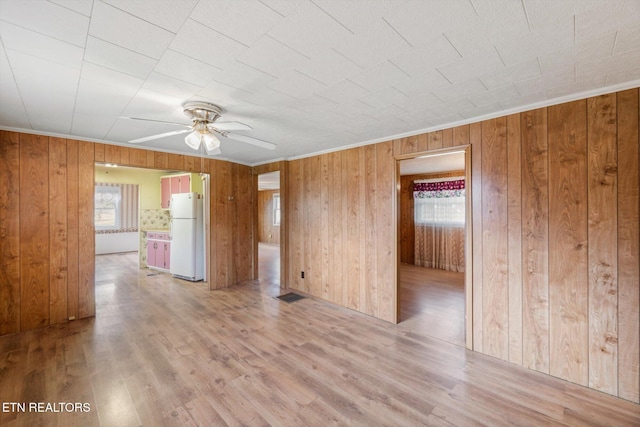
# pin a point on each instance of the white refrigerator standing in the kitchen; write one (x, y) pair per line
(187, 237)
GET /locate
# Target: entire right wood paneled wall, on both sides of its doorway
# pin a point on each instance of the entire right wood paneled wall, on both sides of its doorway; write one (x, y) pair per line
(556, 257)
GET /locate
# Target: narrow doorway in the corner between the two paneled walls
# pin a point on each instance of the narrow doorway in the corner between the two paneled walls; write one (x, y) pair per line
(269, 217)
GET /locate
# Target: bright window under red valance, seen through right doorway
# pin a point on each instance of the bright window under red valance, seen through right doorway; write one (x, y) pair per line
(439, 202)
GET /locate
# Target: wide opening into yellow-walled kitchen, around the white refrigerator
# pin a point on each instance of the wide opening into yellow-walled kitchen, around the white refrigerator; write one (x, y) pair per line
(139, 195)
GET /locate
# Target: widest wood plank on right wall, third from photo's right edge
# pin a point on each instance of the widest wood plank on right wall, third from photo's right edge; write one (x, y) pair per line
(568, 297)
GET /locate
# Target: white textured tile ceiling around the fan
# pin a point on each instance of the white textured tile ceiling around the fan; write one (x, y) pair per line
(308, 75)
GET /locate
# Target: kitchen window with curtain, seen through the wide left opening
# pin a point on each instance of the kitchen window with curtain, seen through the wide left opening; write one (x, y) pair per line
(116, 208)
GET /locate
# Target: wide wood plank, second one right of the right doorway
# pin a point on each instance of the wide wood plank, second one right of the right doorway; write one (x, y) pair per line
(495, 292)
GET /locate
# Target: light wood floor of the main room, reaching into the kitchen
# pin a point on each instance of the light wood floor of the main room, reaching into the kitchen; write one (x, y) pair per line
(163, 351)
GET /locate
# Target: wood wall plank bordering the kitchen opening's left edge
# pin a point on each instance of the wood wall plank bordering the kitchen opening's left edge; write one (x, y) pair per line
(86, 231)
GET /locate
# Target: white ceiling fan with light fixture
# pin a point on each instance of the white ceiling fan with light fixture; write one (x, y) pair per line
(204, 127)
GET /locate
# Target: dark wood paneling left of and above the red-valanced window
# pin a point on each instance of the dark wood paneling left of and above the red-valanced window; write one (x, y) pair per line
(407, 224)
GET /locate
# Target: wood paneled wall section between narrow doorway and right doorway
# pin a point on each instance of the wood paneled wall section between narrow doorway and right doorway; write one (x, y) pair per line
(339, 214)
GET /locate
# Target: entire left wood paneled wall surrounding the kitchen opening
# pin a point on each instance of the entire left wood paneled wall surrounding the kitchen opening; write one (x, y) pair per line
(47, 236)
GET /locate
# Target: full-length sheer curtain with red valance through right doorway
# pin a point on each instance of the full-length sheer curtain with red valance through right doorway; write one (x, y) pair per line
(439, 216)
